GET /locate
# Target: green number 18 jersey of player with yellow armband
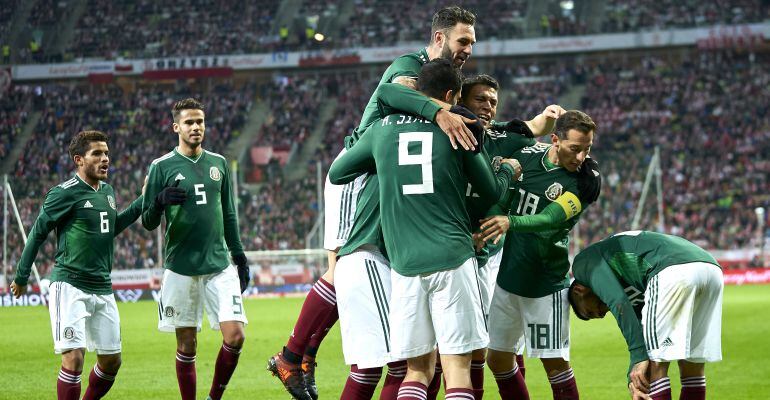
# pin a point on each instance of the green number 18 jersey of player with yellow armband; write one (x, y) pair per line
(535, 264)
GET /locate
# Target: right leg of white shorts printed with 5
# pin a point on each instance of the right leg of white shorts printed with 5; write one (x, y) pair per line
(222, 297)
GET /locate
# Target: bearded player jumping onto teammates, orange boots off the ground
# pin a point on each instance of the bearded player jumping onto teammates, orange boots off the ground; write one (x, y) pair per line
(452, 38)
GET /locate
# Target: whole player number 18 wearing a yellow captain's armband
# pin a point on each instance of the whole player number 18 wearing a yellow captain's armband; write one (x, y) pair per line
(530, 296)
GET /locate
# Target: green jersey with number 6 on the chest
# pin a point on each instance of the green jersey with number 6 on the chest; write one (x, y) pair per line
(86, 222)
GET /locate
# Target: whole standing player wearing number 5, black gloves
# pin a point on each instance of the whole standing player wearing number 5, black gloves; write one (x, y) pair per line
(191, 187)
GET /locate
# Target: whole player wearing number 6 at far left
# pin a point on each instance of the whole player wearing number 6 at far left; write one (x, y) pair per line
(83, 211)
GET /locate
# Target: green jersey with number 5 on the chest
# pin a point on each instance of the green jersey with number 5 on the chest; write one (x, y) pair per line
(200, 231)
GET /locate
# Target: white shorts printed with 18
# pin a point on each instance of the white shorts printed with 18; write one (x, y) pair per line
(543, 322)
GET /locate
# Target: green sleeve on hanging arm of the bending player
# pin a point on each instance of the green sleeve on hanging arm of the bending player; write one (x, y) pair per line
(593, 271)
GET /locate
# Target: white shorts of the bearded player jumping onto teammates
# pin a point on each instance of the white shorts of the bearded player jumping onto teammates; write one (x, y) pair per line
(340, 210)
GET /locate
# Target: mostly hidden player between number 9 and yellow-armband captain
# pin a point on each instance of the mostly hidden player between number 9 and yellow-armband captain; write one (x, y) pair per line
(480, 96)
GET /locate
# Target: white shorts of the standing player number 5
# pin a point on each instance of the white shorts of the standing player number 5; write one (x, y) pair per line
(182, 299)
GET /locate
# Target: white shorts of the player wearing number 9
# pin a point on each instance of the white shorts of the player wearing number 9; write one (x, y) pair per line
(441, 308)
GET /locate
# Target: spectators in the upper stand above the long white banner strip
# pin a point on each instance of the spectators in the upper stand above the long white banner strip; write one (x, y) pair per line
(143, 28)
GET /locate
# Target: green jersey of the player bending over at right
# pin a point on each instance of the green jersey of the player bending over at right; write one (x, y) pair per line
(618, 269)
